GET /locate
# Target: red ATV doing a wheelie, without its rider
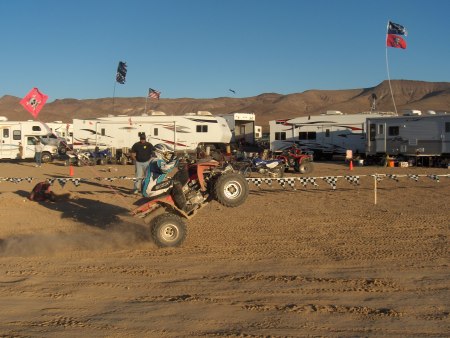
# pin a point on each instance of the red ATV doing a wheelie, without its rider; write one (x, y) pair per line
(192, 187)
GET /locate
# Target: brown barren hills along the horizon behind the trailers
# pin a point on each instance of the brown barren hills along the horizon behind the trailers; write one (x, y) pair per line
(269, 106)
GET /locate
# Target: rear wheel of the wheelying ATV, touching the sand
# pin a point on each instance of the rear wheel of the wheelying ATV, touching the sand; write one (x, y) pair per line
(168, 230)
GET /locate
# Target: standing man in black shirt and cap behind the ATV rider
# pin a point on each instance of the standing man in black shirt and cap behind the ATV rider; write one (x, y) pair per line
(141, 154)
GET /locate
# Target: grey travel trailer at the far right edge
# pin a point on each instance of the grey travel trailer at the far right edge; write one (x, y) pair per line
(412, 136)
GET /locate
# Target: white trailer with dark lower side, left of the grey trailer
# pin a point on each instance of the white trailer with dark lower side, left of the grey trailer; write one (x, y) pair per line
(326, 135)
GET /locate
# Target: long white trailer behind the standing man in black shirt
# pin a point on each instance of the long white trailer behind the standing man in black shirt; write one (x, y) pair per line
(184, 132)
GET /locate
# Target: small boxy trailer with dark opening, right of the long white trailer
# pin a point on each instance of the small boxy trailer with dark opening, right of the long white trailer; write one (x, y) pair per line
(242, 126)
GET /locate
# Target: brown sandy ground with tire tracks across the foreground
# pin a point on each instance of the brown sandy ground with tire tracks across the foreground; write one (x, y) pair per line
(308, 262)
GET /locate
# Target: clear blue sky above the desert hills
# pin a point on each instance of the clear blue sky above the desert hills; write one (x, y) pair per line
(201, 48)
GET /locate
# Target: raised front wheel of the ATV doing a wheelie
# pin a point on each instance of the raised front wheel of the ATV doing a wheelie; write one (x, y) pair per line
(231, 190)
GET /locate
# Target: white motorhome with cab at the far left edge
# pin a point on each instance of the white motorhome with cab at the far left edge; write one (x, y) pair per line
(18, 138)
